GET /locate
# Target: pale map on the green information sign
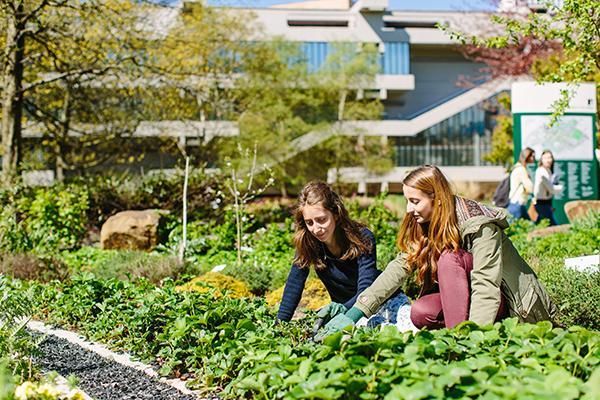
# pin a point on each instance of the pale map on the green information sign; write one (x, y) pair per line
(571, 138)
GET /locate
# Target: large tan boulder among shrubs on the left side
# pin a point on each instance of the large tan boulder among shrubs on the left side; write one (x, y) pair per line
(131, 230)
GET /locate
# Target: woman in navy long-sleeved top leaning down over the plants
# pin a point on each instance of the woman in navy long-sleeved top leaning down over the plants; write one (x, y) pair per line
(341, 251)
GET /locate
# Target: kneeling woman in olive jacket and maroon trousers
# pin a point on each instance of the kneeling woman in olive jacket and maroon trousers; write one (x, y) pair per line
(467, 267)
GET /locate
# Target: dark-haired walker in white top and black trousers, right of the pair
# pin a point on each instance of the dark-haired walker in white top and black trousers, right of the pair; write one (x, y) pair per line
(545, 187)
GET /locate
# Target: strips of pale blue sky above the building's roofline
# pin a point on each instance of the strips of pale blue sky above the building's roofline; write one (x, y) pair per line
(393, 4)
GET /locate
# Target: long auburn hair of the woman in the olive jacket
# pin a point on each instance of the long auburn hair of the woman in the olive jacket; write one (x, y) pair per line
(423, 244)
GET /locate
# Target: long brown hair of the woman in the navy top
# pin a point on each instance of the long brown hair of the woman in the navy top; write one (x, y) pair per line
(347, 232)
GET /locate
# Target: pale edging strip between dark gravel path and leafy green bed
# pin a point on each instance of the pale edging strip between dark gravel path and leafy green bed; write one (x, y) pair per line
(103, 351)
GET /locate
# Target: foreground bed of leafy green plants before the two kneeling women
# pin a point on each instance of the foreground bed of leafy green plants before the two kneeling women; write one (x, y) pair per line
(231, 344)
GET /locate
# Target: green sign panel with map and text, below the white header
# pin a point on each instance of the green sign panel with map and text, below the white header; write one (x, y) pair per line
(572, 140)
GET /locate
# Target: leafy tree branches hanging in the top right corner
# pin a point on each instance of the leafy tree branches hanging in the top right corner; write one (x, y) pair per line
(573, 28)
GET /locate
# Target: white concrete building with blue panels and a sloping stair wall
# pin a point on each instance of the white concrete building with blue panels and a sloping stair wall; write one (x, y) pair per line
(439, 107)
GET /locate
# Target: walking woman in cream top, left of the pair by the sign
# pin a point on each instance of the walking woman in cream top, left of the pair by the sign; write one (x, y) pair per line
(521, 185)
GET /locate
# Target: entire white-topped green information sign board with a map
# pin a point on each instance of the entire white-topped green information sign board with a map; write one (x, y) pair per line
(572, 138)
